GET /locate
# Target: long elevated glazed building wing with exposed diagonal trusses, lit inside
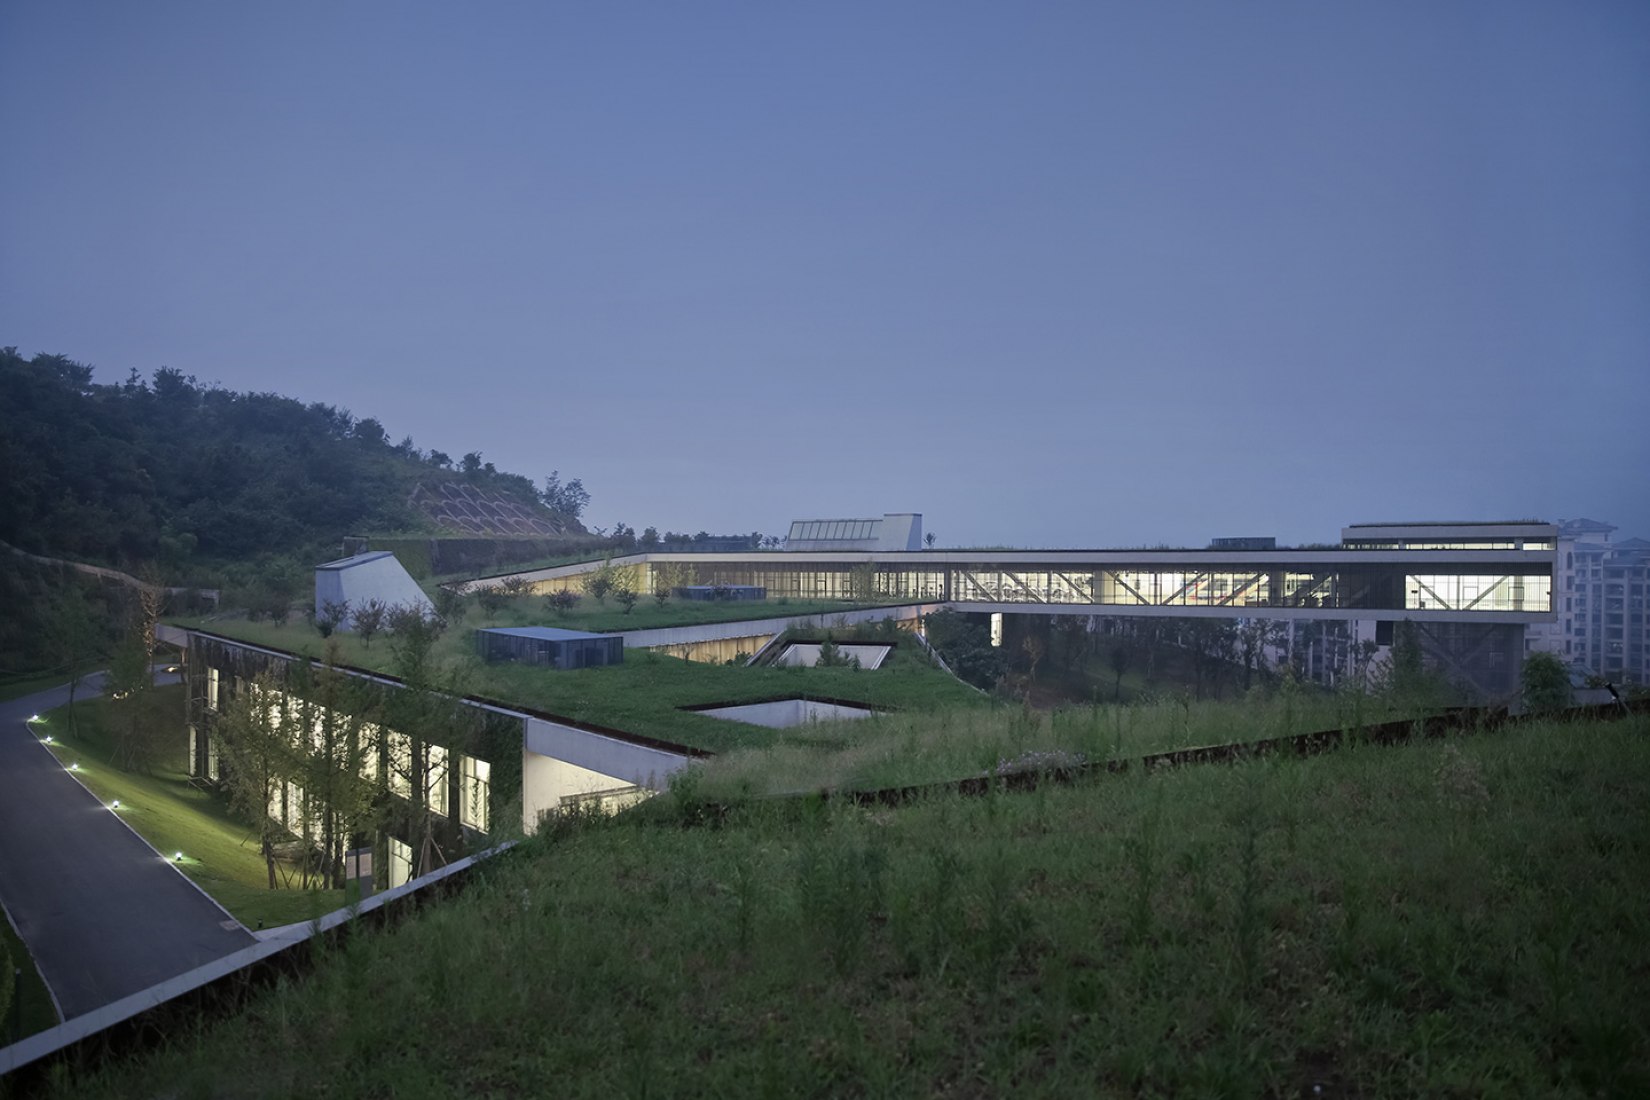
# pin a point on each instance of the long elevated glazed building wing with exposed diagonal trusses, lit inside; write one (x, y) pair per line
(1471, 588)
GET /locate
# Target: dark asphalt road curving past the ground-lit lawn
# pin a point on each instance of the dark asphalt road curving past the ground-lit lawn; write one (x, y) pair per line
(103, 914)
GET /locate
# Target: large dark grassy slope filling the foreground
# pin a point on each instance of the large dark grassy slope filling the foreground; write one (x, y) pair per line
(1448, 919)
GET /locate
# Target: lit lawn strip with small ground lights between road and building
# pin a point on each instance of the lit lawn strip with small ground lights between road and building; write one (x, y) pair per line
(220, 852)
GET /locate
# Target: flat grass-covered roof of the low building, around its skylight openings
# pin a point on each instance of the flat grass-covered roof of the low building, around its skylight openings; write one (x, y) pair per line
(646, 693)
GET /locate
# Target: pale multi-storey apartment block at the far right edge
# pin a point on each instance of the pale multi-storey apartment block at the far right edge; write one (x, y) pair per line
(1600, 596)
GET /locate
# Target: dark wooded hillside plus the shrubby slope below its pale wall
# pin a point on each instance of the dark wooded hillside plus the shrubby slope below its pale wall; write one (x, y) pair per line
(187, 484)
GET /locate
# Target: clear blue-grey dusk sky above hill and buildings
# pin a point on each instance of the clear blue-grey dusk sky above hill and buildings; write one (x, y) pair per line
(1052, 275)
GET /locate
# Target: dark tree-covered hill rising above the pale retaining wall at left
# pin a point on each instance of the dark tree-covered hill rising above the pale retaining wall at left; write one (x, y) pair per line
(184, 476)
